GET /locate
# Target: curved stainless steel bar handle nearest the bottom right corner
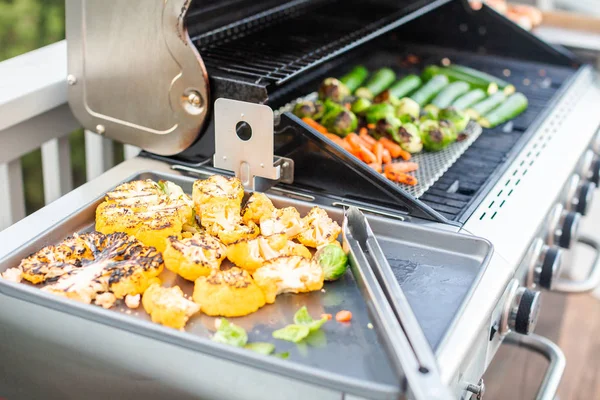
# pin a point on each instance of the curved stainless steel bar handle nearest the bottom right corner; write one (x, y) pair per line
(552, 353)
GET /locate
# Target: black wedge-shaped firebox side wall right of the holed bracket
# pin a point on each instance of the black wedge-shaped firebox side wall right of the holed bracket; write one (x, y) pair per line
(307, 147)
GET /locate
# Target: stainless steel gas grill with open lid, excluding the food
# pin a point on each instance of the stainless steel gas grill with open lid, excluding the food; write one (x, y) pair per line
(161, 76)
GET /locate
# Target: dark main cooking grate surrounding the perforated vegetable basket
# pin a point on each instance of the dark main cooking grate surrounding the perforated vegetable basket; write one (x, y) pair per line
(457, 190)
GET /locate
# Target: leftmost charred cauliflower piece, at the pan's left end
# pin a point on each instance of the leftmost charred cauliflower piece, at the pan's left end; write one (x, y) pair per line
(52, 262)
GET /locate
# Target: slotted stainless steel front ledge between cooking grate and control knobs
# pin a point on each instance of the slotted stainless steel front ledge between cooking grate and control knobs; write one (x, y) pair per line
(511, 215)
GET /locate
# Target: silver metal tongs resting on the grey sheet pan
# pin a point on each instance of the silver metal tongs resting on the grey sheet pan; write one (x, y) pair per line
(392, 316)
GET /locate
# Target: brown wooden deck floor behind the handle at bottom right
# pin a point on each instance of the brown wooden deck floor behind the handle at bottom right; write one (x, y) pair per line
(574, 323)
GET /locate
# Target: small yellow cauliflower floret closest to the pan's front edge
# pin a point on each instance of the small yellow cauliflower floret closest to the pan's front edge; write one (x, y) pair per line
(168, 306)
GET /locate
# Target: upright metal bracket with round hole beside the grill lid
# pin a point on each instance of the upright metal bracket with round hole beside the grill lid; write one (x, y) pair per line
(244, 144)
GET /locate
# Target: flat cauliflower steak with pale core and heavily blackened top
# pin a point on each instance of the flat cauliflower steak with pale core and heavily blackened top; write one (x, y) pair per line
(119, 264)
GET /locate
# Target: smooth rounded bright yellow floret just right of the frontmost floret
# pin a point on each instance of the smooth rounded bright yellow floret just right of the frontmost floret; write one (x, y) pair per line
(230, 293)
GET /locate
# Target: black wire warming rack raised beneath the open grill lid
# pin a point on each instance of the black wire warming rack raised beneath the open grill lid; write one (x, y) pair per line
(286, 48)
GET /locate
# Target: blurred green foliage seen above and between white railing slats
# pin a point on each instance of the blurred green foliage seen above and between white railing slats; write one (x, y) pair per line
(26, 25)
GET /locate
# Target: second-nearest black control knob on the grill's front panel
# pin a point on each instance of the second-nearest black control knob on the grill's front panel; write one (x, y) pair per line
(545, 262)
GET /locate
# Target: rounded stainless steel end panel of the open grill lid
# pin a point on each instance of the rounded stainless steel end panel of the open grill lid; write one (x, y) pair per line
(138, 88)
